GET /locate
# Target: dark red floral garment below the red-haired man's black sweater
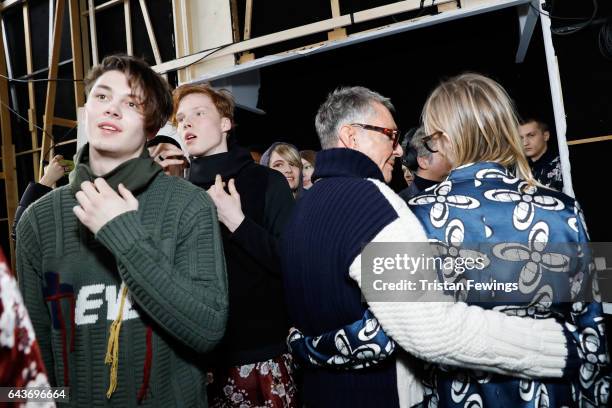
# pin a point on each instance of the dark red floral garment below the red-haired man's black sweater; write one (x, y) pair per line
(265, 384)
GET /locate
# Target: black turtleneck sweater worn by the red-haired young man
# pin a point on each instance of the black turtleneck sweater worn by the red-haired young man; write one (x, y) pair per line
(257, 325)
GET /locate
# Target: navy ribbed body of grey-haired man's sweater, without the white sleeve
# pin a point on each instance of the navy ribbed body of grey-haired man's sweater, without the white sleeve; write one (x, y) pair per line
(331, 222)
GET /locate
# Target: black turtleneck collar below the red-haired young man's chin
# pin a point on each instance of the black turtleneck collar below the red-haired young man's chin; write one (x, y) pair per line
(204, 169)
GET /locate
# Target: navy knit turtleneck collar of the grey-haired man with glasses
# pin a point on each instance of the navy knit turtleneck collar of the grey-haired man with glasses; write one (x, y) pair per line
(343, 162)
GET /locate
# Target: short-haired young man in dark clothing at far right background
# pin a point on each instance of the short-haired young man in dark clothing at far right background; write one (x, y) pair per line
(545, 164)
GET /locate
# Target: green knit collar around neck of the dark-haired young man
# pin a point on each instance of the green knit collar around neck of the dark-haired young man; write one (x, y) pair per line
(135, 174)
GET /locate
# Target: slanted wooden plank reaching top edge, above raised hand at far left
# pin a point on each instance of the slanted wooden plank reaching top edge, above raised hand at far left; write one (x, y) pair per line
(52, 85)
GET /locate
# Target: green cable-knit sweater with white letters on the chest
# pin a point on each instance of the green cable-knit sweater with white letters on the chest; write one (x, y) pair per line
(170, 256)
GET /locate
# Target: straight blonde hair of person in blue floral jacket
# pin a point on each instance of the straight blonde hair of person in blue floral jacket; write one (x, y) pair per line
(479, 119)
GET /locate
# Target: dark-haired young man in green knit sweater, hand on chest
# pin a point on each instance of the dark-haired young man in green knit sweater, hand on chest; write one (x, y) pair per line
(122, 270)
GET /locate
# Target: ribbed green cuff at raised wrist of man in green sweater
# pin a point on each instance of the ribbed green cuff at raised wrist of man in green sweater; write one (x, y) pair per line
(120, 233)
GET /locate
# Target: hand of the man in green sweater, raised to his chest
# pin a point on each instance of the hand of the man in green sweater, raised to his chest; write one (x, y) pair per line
(99, 203)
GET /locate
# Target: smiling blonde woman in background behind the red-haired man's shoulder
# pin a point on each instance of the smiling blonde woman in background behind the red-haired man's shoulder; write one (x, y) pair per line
(285, 158)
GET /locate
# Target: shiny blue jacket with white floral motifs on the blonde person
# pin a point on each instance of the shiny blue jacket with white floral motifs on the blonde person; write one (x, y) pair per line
(530, 236)
